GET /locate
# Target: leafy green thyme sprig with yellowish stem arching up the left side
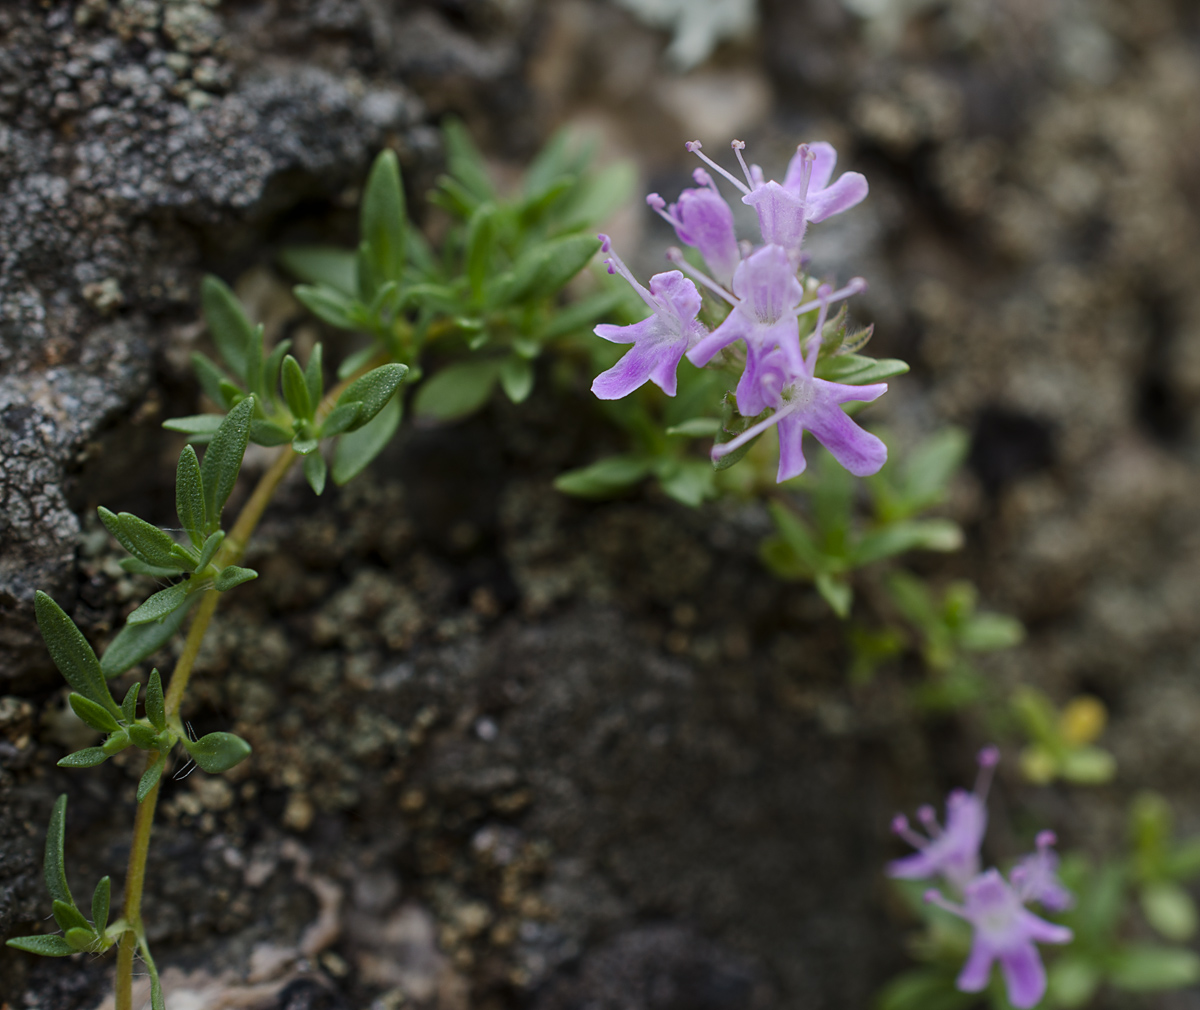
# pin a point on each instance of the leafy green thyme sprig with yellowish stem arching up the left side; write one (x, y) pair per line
(490, 297)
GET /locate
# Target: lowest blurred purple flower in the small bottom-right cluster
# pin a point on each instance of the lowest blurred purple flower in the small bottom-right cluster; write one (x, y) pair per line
(1005, 931)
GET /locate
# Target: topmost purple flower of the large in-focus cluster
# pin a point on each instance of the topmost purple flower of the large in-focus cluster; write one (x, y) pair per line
(806, 195)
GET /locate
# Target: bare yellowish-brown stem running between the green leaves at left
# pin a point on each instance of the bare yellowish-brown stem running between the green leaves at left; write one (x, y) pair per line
(231, 552)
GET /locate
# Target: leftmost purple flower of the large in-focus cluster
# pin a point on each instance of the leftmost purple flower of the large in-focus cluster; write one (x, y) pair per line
(659, 341)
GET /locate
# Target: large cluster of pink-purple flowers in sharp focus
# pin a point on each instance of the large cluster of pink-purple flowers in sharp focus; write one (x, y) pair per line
(767, 302)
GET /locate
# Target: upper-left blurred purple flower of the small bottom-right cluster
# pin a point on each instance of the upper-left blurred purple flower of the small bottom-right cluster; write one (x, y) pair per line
(952, 853)
